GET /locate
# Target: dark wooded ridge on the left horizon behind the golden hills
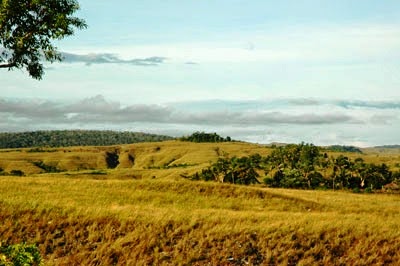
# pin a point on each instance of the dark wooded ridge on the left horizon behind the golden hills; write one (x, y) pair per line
(65, 138)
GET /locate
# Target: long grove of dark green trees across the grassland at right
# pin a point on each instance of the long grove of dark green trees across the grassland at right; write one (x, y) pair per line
(301, 166)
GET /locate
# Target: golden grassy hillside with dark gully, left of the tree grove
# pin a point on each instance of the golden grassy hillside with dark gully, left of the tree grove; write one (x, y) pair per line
(134, 160)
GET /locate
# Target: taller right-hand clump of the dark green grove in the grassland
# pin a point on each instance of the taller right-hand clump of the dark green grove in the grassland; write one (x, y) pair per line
(303, 166)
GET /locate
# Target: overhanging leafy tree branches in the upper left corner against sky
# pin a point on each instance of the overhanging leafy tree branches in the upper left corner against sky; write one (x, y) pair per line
(27, 28)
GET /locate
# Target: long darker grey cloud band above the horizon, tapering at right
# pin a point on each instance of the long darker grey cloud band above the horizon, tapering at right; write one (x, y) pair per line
(98, 110)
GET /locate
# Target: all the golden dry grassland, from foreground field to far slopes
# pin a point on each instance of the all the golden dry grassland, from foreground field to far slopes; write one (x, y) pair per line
(144, 213)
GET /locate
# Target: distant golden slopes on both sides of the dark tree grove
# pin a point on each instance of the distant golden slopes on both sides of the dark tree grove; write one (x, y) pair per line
(152, 155)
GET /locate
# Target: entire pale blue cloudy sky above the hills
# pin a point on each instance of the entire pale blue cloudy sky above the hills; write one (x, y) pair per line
(320, 71)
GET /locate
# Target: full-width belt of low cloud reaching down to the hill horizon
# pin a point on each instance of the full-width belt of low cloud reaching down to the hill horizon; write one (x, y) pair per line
(283, 120)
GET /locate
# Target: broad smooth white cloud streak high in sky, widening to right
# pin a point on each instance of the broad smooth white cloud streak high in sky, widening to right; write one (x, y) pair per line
(362, 43)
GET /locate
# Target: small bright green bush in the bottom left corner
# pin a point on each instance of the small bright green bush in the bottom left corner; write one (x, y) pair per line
(19, 255)
